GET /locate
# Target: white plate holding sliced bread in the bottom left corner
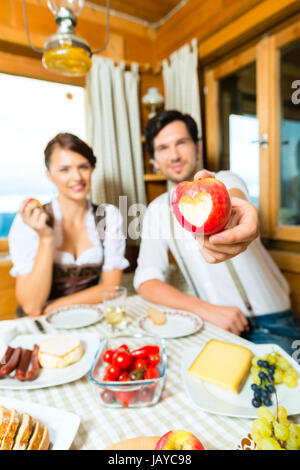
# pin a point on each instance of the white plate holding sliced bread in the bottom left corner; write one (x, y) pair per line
(62, 425)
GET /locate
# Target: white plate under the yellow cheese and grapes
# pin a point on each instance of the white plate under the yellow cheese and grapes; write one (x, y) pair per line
(214, 399)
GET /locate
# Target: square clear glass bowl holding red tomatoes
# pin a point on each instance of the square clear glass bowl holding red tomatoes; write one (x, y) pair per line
(131, 393)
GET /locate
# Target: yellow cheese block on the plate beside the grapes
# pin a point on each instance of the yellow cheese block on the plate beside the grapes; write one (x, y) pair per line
(224, 364)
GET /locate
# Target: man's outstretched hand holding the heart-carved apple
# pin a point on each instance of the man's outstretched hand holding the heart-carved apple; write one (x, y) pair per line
(240, 231)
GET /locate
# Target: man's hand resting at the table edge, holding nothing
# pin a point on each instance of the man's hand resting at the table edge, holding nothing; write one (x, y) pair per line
(229, 318)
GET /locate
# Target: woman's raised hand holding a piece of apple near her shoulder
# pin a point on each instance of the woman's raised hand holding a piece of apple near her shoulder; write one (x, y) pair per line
(35, 216)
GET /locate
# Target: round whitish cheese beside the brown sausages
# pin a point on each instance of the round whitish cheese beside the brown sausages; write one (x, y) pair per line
(59, 351)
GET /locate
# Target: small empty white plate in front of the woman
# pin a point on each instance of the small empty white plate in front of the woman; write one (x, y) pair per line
(75, 316)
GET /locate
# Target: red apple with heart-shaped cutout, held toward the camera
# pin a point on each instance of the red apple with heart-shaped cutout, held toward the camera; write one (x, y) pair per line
(202, 206)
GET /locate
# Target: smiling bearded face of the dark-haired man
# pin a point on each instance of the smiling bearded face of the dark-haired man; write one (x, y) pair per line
(176, 155)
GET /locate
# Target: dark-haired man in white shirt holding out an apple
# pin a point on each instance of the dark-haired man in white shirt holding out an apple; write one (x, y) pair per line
(172, 140)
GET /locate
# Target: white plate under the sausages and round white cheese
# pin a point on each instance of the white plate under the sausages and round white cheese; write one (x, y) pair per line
(51, 377)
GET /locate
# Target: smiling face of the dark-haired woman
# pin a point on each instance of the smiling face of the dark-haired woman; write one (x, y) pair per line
(71, 173)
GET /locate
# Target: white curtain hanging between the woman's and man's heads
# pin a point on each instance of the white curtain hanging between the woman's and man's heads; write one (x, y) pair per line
(114, 133)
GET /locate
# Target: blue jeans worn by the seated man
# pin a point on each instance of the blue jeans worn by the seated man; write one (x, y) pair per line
(279, 328)
